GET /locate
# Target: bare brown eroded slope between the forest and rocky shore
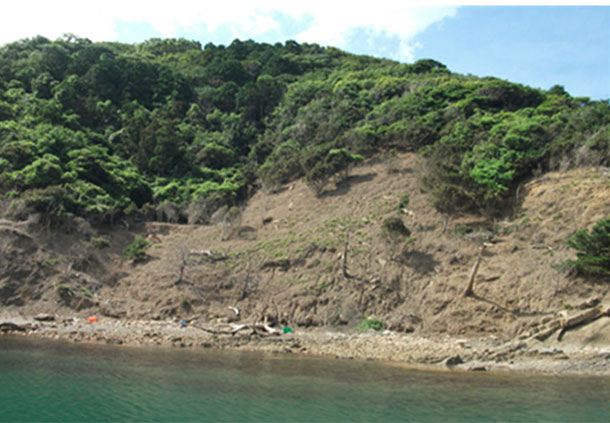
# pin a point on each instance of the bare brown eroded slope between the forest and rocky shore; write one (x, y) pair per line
(304, 260)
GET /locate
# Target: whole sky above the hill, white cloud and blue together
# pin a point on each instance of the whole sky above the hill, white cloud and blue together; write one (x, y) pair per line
(536, 46)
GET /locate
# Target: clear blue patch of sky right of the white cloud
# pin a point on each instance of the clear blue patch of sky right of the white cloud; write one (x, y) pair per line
(537, 46)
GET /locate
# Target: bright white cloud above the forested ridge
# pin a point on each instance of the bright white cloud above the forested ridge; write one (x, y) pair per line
(331, 21)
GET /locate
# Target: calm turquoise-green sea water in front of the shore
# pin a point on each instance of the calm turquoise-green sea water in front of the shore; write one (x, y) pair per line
(56, 381)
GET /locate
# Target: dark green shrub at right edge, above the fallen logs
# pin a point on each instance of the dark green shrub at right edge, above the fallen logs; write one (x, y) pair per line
(593, 249)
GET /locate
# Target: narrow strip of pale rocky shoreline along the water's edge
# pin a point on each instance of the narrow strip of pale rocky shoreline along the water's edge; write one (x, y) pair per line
(437, 352)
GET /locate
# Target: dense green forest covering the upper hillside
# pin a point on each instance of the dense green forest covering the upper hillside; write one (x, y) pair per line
(172, 130)
